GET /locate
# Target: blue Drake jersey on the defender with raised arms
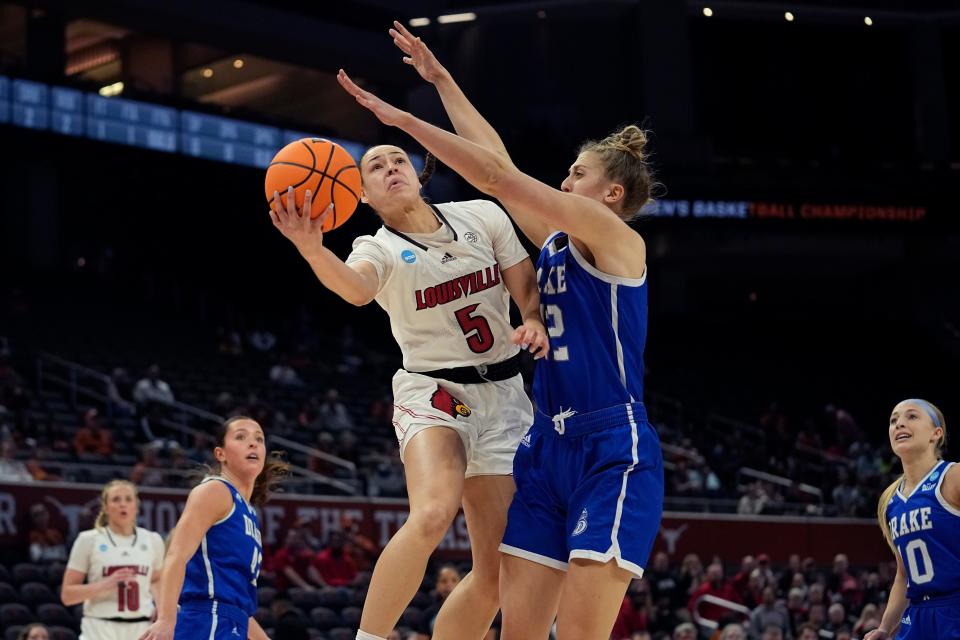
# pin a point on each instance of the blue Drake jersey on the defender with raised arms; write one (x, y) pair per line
(598, 328)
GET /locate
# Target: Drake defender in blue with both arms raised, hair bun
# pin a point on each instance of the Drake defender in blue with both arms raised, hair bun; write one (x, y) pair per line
(589, 473)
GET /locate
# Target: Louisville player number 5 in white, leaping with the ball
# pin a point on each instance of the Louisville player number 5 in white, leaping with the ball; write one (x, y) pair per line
(443, 274)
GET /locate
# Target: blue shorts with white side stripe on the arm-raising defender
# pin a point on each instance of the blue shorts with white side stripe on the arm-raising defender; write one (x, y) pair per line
(588, 486)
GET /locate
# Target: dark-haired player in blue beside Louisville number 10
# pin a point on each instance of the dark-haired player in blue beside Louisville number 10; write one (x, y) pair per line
(215, 553)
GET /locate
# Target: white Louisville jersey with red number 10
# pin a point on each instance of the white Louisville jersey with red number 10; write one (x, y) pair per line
(97, 553)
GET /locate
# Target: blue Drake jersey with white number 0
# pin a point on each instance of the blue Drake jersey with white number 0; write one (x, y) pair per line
(926, 532)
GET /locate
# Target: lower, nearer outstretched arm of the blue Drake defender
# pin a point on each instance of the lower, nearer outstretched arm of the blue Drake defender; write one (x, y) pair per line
(588, 220)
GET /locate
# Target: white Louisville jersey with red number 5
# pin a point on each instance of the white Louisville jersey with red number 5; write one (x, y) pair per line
(444, 291)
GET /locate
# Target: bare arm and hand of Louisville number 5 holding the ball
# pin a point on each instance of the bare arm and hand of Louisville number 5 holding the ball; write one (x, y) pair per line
(357, 284)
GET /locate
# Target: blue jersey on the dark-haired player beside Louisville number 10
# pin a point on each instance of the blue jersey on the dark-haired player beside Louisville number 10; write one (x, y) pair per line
(226, 566)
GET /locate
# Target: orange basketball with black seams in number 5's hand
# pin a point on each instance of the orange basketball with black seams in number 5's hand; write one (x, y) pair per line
(322, 166)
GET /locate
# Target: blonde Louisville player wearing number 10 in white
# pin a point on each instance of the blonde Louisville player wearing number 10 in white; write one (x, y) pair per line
(113, 569)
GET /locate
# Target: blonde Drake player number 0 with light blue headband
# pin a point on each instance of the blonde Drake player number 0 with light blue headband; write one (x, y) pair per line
(920, 517)
